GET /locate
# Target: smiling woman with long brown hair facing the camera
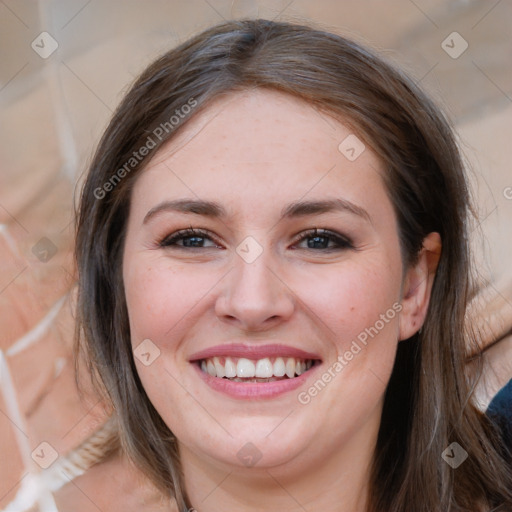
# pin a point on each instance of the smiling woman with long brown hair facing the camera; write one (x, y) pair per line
(274, 272)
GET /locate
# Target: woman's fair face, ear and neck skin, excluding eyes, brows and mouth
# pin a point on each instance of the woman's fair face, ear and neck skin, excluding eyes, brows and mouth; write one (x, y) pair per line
(255, 152)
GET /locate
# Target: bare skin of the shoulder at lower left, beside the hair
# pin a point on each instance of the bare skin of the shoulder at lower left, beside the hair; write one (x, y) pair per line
(113, 485)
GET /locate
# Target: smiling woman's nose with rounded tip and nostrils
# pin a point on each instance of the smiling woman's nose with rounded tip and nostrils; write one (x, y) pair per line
(255, 297)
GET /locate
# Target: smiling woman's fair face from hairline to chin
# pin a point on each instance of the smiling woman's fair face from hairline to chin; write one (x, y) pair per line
(254, 289)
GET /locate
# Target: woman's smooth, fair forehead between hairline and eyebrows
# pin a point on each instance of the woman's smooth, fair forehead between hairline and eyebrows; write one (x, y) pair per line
(259, 148)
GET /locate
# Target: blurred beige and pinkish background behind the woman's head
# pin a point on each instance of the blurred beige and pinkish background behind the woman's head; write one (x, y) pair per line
(64, 67)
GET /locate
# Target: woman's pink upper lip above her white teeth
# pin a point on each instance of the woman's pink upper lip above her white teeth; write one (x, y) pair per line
(252, 352)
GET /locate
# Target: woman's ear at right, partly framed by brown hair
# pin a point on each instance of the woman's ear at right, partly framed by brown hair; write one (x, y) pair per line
(417, 286)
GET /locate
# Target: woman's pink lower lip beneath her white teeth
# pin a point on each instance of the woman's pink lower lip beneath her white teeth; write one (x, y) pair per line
(251, 390)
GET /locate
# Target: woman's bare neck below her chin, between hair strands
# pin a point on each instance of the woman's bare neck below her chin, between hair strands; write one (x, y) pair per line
(336, 481)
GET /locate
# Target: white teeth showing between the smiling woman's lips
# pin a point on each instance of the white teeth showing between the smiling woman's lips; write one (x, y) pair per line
(268, 369)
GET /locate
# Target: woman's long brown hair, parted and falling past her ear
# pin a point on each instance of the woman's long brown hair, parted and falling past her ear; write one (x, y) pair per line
(428, 402)
